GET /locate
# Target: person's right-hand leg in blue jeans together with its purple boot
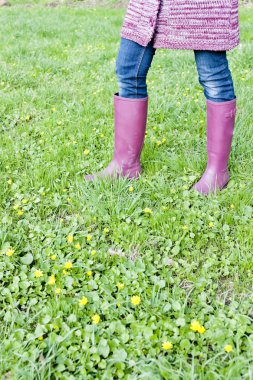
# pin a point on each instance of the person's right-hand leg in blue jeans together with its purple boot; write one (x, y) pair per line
(215, 77)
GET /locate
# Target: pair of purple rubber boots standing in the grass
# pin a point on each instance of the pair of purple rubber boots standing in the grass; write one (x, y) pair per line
(130, 119)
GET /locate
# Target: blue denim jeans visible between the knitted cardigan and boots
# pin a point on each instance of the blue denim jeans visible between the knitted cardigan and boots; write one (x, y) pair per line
(133, 62)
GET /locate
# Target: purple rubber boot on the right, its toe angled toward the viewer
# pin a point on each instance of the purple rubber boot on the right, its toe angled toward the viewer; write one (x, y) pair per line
(220, 127)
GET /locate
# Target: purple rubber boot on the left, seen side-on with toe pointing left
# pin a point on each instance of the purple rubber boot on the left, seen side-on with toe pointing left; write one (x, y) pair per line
(130, 118)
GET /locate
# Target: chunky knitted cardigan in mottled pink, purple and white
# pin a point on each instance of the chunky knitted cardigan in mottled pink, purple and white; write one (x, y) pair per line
(183, 24)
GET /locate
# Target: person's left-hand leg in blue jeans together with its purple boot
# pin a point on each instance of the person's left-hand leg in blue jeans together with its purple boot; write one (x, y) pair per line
(130, 110)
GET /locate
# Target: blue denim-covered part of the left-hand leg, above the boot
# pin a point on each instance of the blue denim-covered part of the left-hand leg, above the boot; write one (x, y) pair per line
(132, 65)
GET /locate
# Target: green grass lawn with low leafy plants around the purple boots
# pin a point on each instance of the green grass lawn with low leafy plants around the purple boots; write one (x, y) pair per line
(186, 256)
